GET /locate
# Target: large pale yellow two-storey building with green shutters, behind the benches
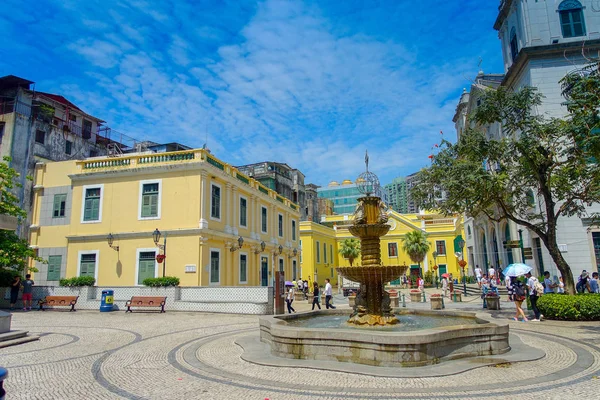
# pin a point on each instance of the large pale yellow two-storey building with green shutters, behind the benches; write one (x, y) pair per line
(201, 206)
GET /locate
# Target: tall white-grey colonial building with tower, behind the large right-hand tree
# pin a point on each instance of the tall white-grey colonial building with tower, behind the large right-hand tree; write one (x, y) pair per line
(542, 41)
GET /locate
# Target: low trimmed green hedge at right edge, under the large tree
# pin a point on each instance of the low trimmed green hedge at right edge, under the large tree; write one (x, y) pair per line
(579, 307)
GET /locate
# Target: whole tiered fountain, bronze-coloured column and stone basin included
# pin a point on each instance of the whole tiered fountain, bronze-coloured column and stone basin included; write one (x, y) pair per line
(370, 333)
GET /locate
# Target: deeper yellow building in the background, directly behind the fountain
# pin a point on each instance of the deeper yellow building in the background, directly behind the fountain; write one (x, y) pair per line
(444, 235)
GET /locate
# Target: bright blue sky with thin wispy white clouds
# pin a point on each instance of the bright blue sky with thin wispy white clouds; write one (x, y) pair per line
(311, 83)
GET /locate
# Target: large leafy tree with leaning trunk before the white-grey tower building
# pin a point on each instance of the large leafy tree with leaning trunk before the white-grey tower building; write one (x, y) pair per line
(538, 171)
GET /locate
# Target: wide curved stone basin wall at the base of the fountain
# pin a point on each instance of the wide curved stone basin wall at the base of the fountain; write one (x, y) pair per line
(383, 347)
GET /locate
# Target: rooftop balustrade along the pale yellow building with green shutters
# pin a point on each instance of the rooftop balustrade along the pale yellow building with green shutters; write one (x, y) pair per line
(178, 157)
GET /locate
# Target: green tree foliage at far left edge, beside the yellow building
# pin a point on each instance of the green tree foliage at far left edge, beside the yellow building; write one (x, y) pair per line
(14, 251)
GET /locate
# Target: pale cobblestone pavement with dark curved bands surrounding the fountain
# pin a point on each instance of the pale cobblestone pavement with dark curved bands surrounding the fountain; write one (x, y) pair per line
(92, 355)
